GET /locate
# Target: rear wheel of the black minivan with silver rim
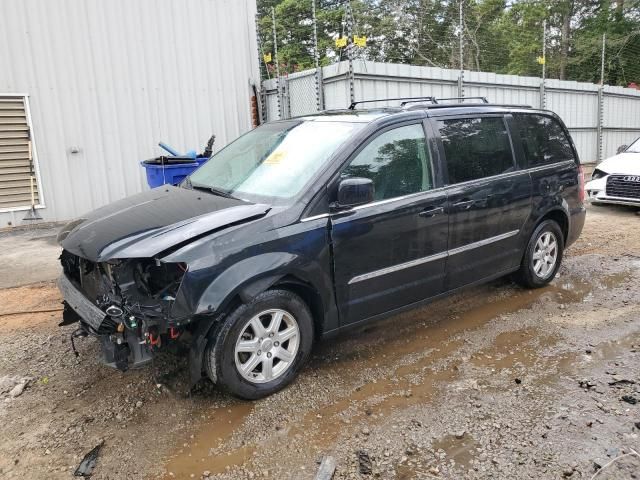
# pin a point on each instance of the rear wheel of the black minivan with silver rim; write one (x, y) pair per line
(542, 256)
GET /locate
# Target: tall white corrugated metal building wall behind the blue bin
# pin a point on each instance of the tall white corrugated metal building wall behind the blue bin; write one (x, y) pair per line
(109, 79)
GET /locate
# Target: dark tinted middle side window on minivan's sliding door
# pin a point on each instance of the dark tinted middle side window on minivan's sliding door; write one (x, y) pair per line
(476, 148)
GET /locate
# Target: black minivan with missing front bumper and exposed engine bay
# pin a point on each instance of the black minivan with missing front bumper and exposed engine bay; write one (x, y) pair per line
(303, 228)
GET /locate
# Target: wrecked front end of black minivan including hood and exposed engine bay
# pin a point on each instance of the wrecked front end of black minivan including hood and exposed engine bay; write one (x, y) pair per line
(125, 281)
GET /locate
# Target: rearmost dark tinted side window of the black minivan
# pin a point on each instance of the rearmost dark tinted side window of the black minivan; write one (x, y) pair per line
(543, 140)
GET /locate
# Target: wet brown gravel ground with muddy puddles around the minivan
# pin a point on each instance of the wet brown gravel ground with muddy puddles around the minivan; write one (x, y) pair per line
(495, 382)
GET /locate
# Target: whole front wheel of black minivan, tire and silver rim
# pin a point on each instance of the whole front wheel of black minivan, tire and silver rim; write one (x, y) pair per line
(260, 347)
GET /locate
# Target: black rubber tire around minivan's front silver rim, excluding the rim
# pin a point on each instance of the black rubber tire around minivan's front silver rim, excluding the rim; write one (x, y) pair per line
(220, 354)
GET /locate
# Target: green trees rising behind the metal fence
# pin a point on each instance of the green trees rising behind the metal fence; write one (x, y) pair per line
(502, 36)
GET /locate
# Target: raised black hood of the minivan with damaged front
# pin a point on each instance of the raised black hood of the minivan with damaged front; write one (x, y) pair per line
(151, 222)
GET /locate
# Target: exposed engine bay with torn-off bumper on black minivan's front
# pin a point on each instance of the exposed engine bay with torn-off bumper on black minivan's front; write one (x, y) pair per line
(134, 298)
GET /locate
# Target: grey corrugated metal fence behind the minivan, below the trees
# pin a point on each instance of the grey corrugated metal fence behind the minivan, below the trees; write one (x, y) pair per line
(575, 102)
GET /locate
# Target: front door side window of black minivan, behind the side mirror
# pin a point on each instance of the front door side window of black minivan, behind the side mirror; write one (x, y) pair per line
(397, 161)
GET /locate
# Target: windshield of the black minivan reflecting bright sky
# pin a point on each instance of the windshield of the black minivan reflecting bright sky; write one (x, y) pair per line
(273, 162)
